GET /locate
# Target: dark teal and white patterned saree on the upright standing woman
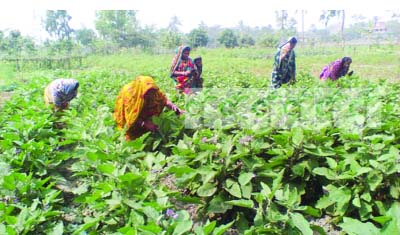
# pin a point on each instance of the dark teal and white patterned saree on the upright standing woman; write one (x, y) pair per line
(284, 69)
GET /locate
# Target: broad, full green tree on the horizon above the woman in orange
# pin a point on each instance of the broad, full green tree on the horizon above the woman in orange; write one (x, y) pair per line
(120, 26)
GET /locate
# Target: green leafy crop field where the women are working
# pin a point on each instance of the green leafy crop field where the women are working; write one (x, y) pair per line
(314, 158)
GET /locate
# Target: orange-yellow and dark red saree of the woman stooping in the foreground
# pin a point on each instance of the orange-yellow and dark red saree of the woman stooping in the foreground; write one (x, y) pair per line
(137, 101)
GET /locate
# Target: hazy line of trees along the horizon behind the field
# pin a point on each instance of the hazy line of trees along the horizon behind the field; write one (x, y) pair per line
(119, 29)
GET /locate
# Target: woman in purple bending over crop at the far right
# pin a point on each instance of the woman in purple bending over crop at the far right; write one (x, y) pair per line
(336, 69)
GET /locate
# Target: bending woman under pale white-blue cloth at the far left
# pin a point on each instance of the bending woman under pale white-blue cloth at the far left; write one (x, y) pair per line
(60, 92)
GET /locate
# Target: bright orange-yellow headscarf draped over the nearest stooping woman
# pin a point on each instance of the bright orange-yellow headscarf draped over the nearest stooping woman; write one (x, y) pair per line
(131, 99)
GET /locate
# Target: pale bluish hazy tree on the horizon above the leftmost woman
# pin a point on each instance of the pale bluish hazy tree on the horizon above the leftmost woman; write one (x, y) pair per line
(56, 24)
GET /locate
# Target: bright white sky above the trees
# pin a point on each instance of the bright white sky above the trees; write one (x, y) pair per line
(26, 15)
